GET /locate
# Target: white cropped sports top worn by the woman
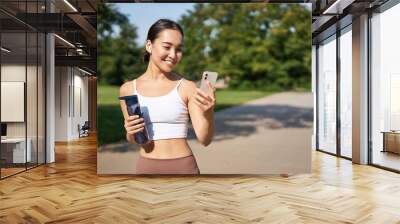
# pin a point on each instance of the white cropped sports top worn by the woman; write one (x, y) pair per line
(165, 116)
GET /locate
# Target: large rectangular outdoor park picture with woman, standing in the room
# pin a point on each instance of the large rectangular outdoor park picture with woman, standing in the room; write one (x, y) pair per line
(185, 135)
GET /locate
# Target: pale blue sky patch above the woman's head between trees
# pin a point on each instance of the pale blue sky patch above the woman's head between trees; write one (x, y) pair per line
(143, 15)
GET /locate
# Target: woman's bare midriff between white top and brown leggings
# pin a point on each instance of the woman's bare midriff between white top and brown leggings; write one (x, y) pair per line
(166, 149)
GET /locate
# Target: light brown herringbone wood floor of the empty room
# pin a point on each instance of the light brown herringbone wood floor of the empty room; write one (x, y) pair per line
(70, 191)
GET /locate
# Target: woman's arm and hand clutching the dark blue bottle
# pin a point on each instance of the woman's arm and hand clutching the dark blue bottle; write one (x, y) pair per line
(132, 124)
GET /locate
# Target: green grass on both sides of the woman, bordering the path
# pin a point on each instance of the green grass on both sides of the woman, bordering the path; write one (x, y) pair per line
(111, 121)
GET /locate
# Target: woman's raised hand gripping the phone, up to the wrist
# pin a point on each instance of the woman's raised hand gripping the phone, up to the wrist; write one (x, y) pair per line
(206, 101)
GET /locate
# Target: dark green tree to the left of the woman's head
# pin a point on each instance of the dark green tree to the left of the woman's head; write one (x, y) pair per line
(119, 58)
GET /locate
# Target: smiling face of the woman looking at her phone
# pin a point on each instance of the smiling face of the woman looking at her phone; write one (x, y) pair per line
(166, 50)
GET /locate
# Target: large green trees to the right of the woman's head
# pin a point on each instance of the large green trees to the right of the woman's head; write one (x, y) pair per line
(264, 46)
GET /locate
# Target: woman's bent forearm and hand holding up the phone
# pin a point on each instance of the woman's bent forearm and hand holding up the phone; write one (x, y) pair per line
(201, 110)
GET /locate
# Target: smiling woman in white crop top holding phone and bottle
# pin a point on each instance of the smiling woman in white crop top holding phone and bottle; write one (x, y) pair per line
(167, 101)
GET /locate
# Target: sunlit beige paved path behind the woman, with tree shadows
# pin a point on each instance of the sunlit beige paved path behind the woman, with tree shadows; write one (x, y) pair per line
(271, 135)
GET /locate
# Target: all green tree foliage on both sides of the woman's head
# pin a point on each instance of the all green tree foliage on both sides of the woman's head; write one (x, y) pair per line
(254, 46)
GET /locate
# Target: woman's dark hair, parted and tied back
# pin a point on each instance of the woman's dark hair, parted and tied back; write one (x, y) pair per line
(156, 28)
